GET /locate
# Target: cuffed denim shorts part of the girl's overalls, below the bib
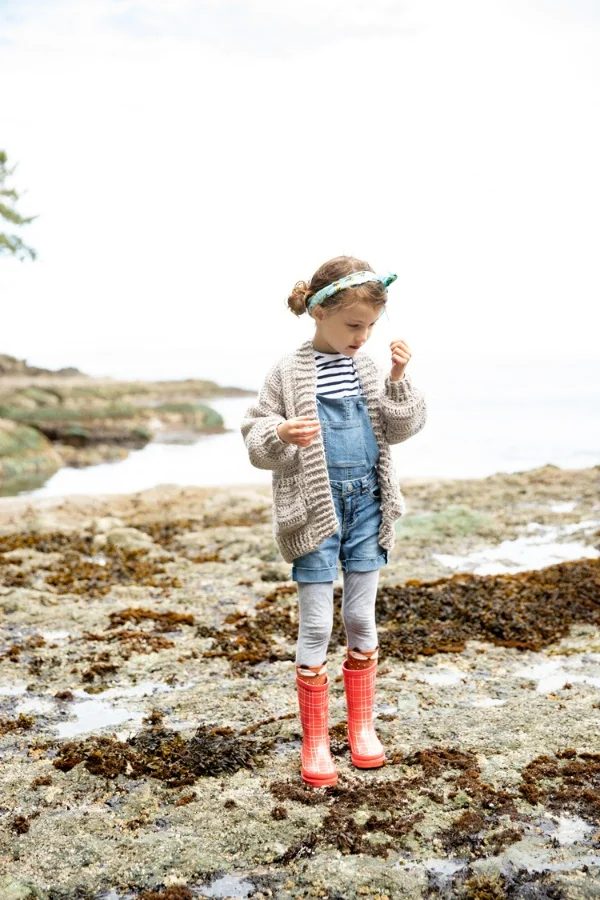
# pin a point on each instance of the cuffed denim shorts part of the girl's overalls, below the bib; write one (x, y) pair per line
(356, 542)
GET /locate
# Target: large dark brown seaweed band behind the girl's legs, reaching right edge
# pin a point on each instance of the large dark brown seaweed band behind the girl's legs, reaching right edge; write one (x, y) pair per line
(526, 611)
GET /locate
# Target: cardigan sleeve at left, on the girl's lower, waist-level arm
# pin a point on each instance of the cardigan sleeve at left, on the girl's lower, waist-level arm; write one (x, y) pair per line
(265, 448)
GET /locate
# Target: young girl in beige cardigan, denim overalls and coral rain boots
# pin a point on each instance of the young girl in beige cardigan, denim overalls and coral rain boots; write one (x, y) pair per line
(324, 421)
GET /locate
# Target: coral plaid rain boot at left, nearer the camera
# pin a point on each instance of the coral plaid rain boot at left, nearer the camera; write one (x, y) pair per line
(317, 766)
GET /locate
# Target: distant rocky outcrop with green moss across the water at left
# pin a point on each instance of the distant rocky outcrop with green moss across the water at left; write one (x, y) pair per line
(66, 418)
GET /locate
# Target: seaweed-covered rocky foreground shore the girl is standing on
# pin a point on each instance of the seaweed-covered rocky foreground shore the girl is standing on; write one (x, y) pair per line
(149, 735)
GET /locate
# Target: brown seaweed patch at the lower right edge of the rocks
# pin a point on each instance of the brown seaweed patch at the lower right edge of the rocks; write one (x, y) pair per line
(569, 782)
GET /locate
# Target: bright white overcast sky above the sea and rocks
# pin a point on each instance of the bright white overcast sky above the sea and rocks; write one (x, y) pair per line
(192, 159)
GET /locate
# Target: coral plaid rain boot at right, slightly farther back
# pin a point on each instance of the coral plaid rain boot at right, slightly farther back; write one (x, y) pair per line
(366, 749)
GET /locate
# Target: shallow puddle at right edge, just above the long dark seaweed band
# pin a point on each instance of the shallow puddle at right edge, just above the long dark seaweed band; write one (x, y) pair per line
(530, 552)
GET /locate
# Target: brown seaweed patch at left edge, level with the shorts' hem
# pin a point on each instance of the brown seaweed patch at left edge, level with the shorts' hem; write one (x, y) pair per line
(78, 571)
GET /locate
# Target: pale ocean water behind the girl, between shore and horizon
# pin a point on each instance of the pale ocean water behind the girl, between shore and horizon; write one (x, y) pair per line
(483, 418)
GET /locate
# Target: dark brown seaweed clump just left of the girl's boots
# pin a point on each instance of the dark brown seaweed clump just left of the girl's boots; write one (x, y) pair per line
(164, 754)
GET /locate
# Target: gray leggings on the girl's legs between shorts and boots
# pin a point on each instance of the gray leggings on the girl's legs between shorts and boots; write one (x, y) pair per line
(315, 604)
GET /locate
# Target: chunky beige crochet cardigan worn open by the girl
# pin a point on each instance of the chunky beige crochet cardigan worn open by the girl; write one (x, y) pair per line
(303, 510)
